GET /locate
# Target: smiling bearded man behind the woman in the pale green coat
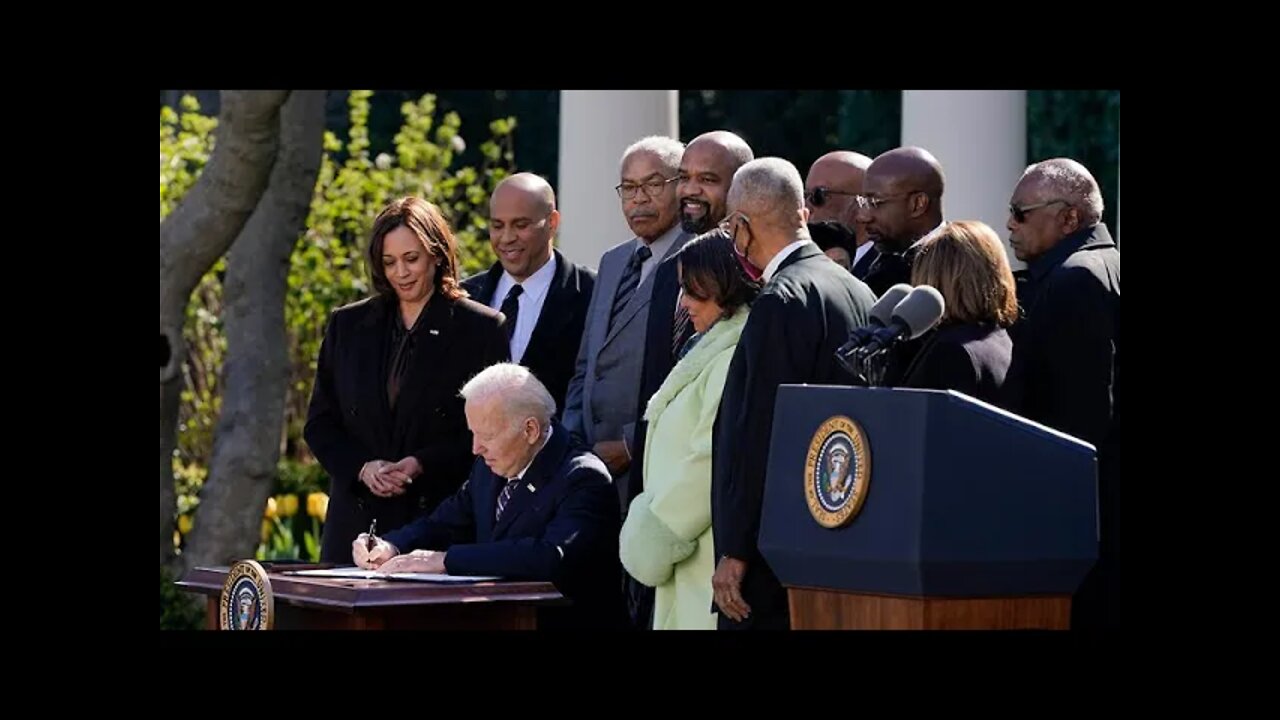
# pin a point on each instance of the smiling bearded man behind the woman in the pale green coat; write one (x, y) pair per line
(706, 170)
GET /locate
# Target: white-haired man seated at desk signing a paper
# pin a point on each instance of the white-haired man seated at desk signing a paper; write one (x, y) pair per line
(536, 508)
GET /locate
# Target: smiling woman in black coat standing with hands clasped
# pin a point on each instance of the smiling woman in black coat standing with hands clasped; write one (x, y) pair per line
(386, 418)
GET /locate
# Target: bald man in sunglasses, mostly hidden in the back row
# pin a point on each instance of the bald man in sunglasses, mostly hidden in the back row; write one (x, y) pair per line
(831, 192)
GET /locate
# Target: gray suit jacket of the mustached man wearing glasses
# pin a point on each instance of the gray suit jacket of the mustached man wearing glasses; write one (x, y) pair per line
(601, 404)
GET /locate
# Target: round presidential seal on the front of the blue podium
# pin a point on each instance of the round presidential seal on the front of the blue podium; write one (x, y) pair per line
(836, 472)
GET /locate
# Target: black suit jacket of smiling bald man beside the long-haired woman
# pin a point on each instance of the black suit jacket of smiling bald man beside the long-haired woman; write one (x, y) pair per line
(552, 349)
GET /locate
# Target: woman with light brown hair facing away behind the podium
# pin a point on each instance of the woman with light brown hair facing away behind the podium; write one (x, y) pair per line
(970, 350)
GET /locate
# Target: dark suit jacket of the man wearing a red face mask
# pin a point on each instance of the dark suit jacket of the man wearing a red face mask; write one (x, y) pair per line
(802, 317)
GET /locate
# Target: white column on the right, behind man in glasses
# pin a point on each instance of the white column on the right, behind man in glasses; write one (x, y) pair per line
(980, 136)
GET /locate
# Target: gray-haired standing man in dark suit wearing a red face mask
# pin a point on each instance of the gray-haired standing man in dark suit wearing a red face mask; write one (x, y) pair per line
(804, 313)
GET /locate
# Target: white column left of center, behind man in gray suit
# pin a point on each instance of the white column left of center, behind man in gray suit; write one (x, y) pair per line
(596, 127)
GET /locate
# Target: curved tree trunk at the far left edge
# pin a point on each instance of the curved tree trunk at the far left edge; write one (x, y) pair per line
(195, 235)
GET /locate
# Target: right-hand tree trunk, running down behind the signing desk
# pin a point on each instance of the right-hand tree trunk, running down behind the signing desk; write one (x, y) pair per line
(255, 376)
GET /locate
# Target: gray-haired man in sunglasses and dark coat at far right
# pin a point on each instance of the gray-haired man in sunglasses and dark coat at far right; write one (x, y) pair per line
(1066, 371)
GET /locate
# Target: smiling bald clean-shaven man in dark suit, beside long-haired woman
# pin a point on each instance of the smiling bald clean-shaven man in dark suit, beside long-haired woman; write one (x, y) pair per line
(542, 294)
